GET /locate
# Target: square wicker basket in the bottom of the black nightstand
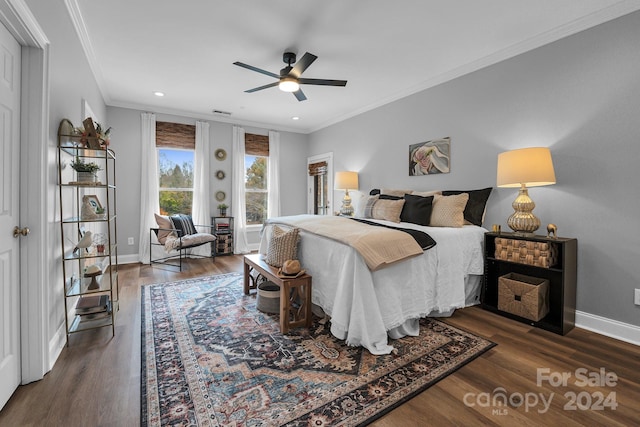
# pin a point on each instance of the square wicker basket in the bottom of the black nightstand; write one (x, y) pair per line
(523, 296)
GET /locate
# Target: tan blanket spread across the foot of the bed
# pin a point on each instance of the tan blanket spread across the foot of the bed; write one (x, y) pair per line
(378, 246)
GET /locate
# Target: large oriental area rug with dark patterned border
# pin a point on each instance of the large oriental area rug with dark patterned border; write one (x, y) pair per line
(210, 358)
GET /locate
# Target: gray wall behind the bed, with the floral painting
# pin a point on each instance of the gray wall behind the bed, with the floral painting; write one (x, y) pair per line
(581, 97)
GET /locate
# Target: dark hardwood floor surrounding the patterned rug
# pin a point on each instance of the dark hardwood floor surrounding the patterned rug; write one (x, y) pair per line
(96, 380)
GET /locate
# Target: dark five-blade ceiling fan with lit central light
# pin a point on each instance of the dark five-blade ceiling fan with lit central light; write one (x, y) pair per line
(289, 79)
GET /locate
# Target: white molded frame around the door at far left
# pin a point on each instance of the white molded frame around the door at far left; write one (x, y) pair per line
(34, 213)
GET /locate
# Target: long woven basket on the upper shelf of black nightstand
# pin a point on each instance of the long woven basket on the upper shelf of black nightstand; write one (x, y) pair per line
(539, 254)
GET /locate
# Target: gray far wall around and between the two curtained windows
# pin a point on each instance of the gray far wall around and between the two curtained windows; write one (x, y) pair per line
(125, 141)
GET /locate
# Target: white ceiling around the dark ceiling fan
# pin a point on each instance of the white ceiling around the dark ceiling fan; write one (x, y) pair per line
(385, 49)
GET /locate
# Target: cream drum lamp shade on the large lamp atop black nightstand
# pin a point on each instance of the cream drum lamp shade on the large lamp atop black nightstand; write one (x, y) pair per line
(532, 167)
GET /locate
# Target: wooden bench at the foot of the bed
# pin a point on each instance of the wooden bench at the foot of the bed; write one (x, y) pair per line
(295, 293)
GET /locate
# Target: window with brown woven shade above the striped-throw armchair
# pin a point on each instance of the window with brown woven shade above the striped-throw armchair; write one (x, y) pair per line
(176, 152)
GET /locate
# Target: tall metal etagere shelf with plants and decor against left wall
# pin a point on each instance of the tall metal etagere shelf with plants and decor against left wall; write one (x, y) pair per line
(88, 219)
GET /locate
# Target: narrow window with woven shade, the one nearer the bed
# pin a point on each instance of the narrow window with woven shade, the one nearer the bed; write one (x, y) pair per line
(256, 162)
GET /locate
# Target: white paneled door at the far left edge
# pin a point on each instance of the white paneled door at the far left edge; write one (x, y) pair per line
(9, 215)
